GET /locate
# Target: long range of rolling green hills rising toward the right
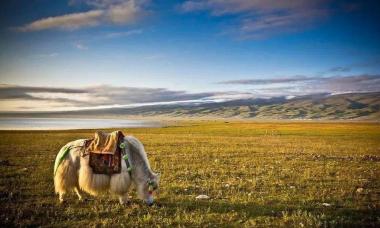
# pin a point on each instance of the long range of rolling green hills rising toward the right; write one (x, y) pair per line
(353, 106)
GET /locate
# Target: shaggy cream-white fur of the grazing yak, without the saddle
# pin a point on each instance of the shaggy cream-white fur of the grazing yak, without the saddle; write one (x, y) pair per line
(75, 174)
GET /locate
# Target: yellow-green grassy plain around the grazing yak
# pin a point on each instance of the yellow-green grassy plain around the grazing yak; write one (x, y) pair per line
(256, 174)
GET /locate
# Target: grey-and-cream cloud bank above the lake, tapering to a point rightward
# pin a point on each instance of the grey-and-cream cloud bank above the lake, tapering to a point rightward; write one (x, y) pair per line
(21, 98)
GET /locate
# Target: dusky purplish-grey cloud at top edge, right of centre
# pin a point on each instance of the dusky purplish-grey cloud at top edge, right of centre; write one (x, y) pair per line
(261, 18)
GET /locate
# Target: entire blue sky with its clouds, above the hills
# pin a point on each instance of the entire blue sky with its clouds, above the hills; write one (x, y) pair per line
(164, 51)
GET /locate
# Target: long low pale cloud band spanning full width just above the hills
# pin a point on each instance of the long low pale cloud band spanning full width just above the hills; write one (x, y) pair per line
(27, 98)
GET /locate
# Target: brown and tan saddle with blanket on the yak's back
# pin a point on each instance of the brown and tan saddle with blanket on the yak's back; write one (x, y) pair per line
(105, 153)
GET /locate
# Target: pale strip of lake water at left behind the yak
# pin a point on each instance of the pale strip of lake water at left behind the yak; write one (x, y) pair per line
(70, 123)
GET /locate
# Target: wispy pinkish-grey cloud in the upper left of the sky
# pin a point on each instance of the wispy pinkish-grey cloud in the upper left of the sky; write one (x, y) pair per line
(111, 12)
